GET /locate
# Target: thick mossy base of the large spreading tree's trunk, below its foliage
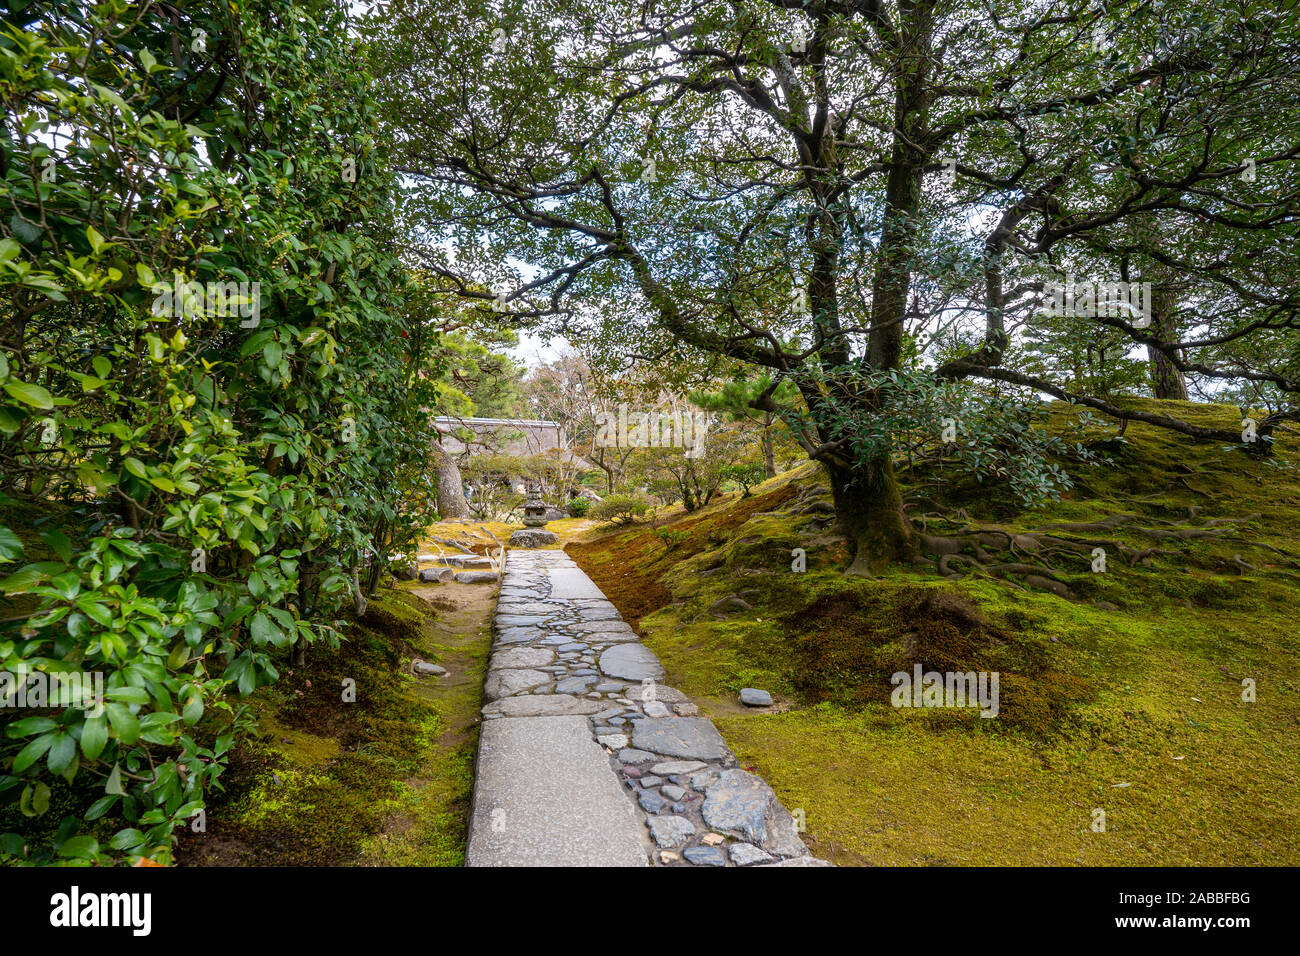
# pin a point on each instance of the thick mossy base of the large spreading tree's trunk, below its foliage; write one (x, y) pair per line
(869, 505)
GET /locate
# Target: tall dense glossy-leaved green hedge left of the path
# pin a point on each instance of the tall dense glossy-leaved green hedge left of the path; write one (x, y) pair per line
(194, 479)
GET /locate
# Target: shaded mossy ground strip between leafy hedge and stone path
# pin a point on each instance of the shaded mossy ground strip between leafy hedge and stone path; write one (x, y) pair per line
(382, 781)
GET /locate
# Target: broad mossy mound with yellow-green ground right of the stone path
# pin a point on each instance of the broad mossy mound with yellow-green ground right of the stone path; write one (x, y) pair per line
(1129, 700)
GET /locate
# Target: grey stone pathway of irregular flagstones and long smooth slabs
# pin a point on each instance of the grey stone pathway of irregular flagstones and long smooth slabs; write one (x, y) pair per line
(587, 760)
